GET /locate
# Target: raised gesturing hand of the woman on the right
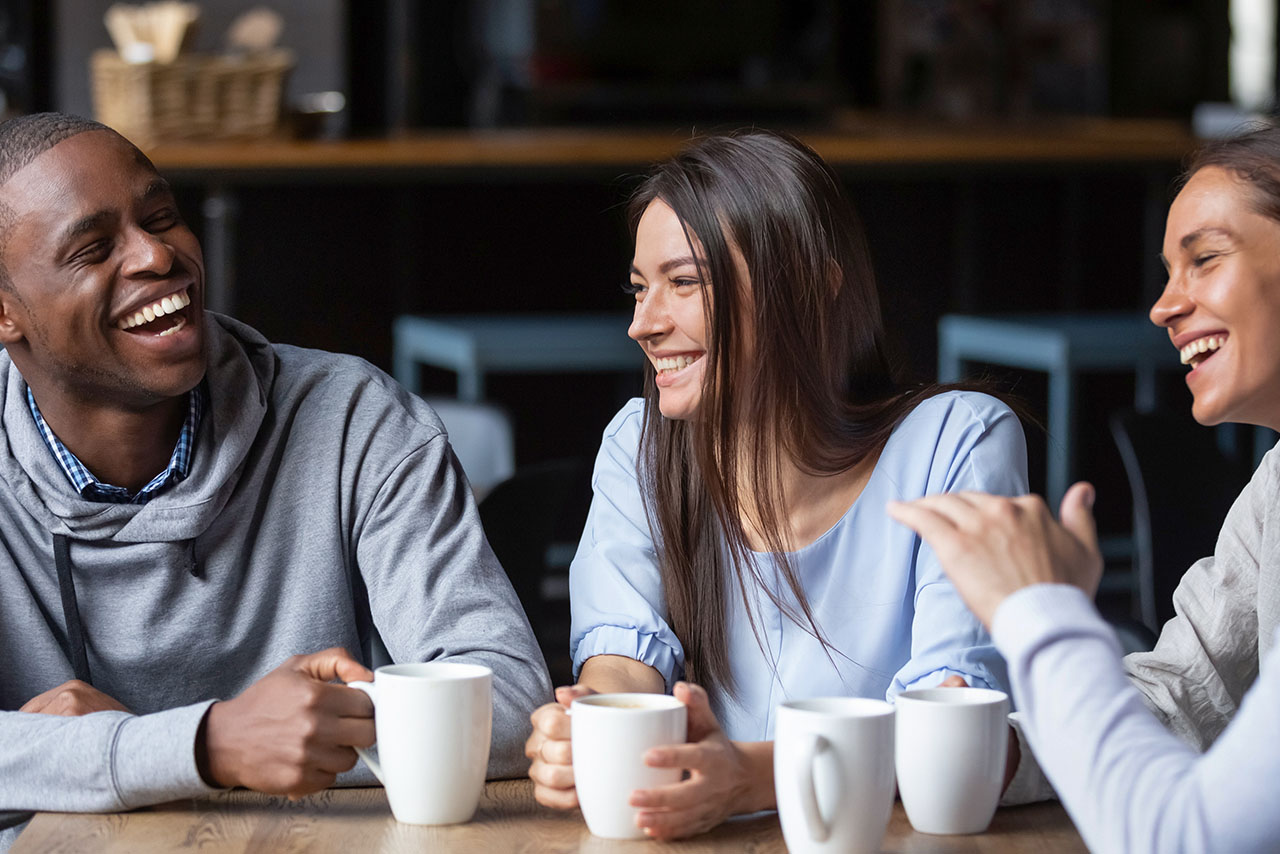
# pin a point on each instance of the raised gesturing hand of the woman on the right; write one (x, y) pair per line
(991, 547)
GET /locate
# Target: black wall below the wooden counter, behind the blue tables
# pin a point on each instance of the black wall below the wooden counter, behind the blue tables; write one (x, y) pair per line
(332, 267)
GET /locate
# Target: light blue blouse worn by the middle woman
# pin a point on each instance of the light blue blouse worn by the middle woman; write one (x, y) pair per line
(876, 591)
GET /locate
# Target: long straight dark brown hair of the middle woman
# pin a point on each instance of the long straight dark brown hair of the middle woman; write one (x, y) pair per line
(817, 389)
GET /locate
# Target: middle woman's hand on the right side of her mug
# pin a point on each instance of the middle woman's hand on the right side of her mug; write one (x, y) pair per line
(725, 778)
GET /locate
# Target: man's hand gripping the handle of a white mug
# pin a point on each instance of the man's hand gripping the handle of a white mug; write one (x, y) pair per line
(292, 732)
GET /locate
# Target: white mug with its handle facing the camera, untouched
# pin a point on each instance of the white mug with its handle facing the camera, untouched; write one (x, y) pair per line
(834, 774)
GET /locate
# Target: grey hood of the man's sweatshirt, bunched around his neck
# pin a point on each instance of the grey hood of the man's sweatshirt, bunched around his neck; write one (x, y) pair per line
(239, 359)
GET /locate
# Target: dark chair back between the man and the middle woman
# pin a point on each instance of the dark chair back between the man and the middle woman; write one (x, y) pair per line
(533, 522)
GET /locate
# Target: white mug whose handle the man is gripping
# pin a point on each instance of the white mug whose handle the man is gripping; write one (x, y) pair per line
(435, 721)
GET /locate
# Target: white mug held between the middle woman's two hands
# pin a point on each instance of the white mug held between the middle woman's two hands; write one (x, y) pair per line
(611, 734)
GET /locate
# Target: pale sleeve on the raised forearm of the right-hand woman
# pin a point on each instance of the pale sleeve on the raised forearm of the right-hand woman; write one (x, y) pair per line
(1128, 783)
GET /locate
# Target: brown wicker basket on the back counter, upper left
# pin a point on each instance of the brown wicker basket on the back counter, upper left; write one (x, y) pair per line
(194, 98)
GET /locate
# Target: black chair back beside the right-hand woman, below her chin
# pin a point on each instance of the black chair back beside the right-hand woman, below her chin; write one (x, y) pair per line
(1183, 485)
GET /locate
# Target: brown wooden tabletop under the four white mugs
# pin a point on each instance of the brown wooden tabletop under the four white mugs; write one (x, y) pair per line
(359, 820)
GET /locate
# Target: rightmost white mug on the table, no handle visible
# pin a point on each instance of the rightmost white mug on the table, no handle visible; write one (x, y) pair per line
(952, 746)
